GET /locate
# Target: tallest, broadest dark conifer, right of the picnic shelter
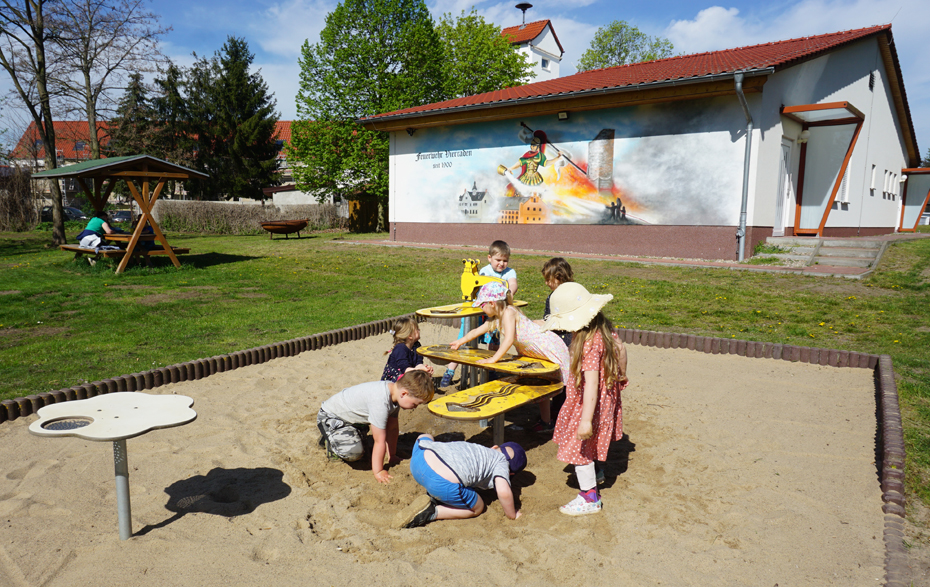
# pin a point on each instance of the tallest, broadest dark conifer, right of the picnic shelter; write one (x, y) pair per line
(232, 115)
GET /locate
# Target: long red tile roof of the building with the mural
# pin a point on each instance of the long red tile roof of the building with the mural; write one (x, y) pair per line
(768, 56)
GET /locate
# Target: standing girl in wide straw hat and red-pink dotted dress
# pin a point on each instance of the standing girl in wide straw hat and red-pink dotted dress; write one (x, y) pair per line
(592, 416)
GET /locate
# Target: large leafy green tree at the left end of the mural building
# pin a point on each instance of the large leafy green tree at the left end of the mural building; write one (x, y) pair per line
(372, 57)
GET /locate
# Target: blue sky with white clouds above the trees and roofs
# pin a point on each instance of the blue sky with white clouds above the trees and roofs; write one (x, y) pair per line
(275, 30)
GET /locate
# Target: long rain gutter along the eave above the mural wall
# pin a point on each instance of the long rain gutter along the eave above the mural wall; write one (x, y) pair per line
(373, 122)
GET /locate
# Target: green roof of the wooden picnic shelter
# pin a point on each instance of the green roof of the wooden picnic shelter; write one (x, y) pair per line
(126, 167)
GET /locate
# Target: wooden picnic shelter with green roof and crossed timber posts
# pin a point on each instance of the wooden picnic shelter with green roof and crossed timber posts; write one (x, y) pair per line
(98, 177)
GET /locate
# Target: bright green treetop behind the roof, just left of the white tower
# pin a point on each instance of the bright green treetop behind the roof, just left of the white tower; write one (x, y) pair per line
(476, 58)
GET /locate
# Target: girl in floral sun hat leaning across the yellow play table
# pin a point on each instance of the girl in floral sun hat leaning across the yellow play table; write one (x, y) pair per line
(531, 339)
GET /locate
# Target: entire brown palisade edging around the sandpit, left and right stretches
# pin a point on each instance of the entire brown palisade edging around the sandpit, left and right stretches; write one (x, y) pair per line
(891, 438)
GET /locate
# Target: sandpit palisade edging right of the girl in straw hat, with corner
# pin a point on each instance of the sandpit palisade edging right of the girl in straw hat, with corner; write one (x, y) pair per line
(891, 438)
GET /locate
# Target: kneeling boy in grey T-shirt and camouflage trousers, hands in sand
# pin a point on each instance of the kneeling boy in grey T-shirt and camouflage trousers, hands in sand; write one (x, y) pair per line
(343, 418)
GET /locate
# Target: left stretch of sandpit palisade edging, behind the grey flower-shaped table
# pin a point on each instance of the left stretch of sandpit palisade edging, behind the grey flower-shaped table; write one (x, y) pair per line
(12, 409)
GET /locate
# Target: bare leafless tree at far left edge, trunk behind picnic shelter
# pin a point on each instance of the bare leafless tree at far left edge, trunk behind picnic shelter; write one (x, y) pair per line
(24, 35)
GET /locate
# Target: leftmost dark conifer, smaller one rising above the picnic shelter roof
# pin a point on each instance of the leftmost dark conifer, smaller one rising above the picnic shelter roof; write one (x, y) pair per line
(131, 130)
